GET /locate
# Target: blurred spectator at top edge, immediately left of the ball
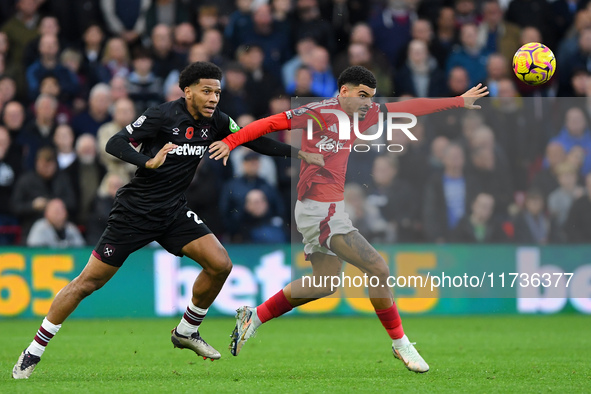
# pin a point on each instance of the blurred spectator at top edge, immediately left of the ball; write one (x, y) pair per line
(497, 35)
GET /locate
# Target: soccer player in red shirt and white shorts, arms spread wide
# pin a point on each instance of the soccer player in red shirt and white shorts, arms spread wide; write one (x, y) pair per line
(329, 236)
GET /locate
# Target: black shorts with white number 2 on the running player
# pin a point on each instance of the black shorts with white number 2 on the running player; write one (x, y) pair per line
(127, 232)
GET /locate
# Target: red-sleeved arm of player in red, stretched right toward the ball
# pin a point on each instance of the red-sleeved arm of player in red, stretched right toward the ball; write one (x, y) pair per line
(425, 106)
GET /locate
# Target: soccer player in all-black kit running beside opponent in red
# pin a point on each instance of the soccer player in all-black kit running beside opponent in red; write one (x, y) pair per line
(152, 207)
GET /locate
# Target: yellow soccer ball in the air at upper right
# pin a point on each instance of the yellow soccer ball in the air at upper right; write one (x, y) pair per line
(534, 63)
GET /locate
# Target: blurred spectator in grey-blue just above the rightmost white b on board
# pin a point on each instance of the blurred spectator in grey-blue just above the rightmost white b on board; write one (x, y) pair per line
(532, 226)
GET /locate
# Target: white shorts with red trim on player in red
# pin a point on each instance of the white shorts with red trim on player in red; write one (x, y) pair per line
(319, 221)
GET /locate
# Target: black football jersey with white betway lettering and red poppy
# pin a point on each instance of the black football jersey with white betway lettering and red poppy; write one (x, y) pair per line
(160, 192)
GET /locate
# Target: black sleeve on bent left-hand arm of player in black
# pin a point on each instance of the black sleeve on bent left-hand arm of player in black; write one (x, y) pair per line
(144, 128)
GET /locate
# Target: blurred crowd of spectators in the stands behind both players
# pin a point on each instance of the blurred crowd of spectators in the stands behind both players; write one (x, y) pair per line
(73, 73)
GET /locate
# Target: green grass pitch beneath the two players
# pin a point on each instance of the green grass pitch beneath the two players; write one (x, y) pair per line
(308, 355)
